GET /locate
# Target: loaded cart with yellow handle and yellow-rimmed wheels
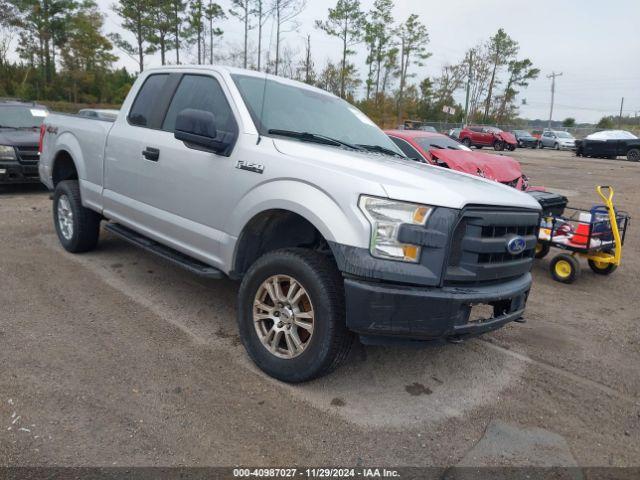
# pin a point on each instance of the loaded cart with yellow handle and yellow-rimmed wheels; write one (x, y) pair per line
(596, 234)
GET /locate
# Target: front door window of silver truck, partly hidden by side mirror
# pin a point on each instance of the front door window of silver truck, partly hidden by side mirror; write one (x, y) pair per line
(202, 93)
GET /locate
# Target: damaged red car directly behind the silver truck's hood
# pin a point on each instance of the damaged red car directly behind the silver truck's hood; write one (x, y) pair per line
(440, 150)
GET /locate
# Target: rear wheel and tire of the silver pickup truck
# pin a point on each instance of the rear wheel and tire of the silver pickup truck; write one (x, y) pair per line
(78, 228)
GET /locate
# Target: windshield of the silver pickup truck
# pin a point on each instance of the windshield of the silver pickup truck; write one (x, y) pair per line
(291, 108)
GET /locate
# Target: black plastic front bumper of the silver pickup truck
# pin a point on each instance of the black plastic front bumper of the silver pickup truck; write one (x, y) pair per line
(422, 313)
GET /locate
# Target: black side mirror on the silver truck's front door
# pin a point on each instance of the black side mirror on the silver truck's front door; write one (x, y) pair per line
(197, 129)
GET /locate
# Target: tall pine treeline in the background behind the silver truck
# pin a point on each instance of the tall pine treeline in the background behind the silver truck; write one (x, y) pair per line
(65, 56)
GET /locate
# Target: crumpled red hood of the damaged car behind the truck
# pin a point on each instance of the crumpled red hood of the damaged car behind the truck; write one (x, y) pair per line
(494, 167)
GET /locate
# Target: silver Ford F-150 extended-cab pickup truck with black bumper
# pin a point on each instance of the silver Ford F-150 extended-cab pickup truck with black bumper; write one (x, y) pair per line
(331, 229)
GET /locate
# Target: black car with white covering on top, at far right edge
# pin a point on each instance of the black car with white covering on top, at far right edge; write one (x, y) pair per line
(610, 144)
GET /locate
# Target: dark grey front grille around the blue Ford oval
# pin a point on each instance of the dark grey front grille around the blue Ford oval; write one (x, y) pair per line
(479, 246)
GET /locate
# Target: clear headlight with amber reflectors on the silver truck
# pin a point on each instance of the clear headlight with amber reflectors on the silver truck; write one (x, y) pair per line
(385, 217)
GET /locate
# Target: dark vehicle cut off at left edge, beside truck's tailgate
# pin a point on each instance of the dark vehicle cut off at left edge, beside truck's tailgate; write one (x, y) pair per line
(19, 136)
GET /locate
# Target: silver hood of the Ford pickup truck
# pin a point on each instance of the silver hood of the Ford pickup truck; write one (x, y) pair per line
(405, 179)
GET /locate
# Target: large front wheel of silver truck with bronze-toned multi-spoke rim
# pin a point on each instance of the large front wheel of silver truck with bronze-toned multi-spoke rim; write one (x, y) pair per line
(329, 341)
